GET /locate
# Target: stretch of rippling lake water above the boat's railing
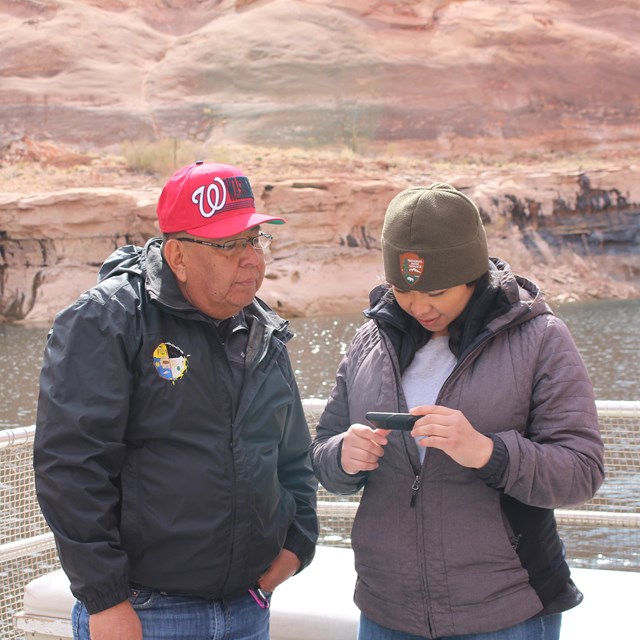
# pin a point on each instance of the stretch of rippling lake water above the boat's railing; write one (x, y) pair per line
(607, 334)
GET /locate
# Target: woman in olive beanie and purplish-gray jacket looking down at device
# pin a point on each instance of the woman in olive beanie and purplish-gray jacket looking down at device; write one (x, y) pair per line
(455, 534)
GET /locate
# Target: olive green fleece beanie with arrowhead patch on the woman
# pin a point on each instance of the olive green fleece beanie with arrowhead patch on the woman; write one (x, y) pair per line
(433, 239)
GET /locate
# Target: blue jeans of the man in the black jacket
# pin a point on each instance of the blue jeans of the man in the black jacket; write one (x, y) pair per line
(169, 617)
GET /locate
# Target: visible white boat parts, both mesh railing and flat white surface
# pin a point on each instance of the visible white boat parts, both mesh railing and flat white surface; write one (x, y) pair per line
(319, 602)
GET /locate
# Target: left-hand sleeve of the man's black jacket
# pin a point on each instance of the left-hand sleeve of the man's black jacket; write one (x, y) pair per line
(79, 451)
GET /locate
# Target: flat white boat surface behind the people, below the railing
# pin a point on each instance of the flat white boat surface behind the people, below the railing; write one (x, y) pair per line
(318, 604)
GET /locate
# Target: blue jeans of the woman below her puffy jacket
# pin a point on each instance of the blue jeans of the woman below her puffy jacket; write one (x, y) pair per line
(540, 628)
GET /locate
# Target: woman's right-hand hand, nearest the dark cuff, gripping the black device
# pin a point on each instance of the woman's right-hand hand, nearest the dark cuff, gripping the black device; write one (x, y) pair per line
(448, 430)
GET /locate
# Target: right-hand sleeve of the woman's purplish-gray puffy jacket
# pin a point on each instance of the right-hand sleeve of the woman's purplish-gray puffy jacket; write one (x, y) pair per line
(559, 462)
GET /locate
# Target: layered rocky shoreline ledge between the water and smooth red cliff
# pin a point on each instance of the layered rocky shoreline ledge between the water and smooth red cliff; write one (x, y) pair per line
(62, 214)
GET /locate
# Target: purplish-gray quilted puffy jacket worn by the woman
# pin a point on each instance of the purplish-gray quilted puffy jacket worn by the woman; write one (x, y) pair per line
(445, 550)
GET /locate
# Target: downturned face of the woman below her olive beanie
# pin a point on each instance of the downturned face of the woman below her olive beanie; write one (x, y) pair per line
(435, 310)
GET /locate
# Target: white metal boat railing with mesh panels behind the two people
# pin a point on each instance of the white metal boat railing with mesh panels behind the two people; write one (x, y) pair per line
(27, 548)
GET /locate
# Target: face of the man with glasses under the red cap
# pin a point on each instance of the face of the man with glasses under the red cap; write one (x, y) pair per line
(220, 282)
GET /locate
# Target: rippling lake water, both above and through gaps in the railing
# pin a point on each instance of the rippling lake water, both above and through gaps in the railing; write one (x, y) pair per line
(607, 334)
